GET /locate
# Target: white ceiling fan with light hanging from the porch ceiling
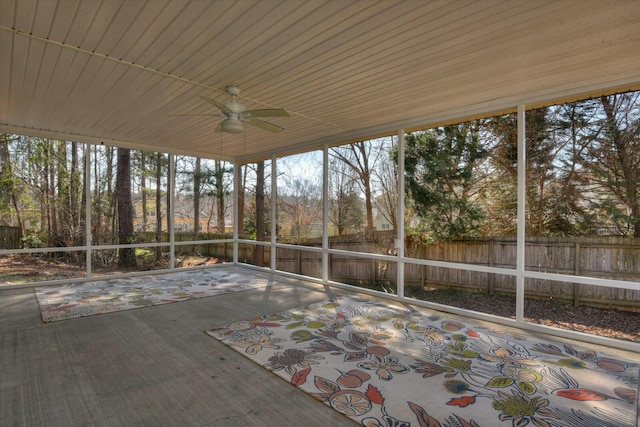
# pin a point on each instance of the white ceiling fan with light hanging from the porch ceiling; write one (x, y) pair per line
(237, 116)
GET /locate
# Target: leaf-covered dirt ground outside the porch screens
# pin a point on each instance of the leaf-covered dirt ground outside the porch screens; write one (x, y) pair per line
(625, 325)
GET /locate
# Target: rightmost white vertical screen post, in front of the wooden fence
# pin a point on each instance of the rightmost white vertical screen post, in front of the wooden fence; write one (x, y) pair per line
(520, 243)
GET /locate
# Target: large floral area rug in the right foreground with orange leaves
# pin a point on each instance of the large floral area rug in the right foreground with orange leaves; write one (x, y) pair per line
(386, 366)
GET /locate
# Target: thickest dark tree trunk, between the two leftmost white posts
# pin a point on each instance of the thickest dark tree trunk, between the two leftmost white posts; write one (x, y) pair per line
(126, 256)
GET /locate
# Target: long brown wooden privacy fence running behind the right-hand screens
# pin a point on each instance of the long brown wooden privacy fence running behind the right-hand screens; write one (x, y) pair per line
(602, 257)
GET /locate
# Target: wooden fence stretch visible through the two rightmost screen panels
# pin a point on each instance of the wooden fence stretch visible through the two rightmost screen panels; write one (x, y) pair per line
(603, 257)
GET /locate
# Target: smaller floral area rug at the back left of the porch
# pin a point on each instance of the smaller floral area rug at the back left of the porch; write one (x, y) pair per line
(106, 296)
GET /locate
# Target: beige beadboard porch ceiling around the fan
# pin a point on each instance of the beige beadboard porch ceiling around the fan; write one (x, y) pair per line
(117, 71)
